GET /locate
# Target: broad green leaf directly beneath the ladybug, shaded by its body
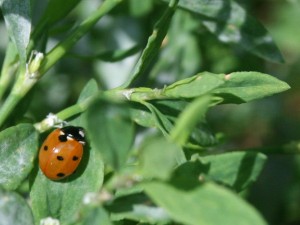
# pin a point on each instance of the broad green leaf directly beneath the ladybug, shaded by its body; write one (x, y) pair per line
(63, 199)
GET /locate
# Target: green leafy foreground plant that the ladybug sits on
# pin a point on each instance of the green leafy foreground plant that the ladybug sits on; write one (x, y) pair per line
(171, 176)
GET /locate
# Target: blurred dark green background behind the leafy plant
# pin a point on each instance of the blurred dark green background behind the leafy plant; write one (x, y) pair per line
(188, 49)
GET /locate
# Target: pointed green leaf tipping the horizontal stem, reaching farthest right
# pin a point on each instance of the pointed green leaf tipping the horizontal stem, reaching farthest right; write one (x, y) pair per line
(247, 86)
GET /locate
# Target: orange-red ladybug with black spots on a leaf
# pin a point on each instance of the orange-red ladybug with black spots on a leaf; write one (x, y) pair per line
(61, 152)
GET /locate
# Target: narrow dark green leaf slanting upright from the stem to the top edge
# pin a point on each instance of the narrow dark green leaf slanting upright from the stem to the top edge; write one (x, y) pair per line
(154, 43)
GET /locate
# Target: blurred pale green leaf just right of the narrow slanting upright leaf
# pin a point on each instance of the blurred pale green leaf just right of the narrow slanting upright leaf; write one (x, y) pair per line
(177, 57)
